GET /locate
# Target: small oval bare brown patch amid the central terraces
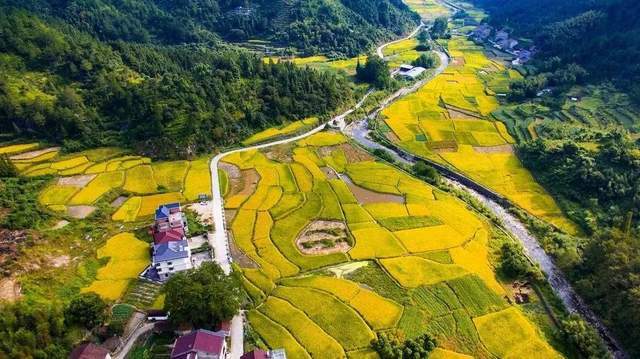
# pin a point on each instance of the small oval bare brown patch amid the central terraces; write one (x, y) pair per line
(323, 237)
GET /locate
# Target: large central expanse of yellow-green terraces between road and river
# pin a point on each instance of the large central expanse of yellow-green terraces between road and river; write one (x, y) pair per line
(417, 265)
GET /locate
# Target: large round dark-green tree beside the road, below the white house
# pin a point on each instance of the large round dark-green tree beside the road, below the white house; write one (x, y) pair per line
(203, 297)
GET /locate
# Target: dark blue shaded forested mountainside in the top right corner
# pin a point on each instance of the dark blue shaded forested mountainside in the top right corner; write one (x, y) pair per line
(601, 36)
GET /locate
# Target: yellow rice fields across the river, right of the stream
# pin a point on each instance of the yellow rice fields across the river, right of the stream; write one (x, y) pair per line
(449, 121)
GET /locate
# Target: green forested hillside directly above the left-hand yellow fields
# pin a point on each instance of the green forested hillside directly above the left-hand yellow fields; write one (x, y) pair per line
(60, 84)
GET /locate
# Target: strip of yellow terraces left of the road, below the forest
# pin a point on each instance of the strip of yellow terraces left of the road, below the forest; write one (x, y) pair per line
(89, 177)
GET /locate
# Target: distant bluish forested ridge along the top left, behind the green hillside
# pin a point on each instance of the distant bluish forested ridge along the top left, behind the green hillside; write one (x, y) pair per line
(345, 27)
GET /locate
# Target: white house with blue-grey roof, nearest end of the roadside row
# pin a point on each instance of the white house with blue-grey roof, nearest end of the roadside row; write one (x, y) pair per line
(171, 257)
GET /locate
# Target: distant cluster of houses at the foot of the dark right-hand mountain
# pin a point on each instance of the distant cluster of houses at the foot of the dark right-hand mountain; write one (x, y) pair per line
(501, 40)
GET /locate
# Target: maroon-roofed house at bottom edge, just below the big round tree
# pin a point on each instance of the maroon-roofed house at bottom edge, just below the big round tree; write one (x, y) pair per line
(200, 344)
